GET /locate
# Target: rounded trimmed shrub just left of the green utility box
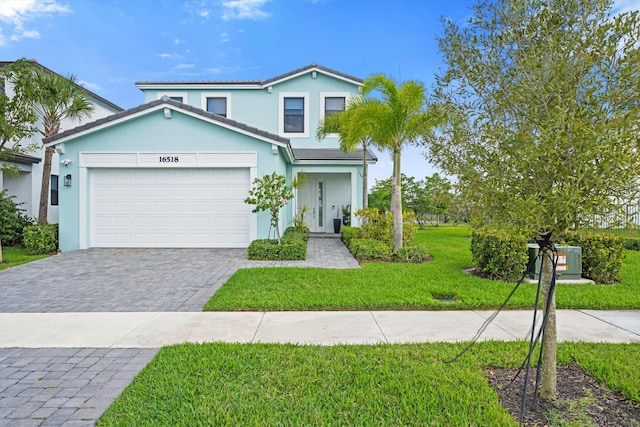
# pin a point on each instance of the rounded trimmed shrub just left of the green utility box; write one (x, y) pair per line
(500, 254)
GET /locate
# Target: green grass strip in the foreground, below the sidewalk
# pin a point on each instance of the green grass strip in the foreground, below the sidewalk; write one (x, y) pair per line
(292, 385)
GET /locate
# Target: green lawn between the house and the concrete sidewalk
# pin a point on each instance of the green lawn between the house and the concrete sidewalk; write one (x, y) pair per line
(386, 286)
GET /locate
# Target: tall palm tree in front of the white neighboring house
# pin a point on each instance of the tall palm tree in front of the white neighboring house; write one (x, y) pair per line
(58, 98)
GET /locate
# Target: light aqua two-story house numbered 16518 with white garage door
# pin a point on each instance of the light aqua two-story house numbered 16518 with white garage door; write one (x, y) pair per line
(174, 172)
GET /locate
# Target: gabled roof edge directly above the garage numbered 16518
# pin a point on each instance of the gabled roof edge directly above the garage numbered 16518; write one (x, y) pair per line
(176, 104)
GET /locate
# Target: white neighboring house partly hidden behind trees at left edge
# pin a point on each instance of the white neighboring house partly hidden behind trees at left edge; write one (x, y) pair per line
(26, 186)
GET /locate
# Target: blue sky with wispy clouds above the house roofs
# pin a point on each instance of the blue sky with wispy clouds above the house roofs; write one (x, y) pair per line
(110, 44)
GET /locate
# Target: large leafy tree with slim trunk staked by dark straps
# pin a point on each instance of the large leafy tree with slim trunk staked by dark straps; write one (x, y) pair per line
(544, 114)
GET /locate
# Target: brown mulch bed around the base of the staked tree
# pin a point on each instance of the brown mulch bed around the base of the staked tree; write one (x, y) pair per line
(580, 401)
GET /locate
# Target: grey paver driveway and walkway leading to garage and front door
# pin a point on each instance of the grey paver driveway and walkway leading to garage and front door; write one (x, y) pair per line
(139, 279)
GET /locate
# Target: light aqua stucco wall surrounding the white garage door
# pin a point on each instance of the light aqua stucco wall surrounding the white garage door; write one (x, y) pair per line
(152, 132)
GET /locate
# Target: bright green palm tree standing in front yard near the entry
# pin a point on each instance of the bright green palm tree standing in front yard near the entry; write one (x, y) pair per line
(397, 115)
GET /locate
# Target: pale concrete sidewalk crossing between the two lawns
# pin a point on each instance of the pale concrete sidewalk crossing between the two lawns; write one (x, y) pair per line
(157, 329)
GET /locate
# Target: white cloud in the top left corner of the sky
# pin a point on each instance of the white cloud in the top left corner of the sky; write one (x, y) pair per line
(17, 12)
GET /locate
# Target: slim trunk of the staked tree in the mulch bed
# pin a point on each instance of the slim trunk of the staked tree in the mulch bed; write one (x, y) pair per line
(550, 337)
